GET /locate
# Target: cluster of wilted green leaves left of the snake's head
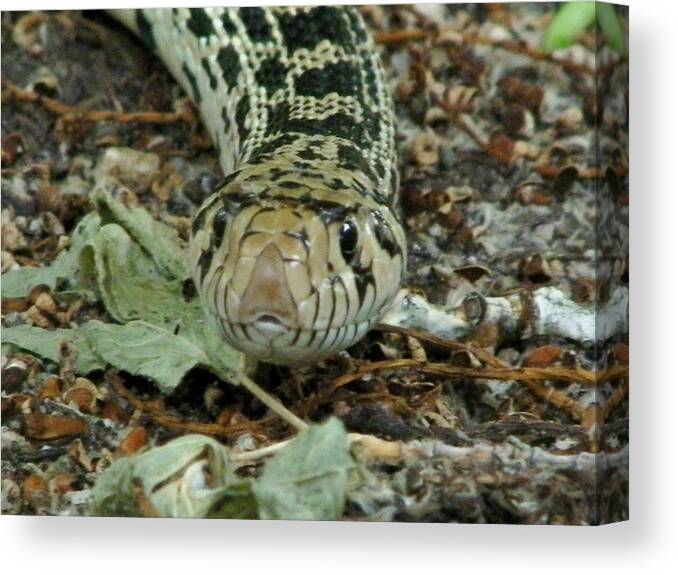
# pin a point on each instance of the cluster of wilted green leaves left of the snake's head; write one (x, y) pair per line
(161, 336)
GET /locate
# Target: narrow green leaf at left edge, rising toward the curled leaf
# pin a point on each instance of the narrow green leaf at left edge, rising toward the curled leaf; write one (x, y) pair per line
(63, 270)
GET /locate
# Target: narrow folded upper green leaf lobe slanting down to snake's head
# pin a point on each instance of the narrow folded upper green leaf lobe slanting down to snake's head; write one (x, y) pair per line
(159, 240)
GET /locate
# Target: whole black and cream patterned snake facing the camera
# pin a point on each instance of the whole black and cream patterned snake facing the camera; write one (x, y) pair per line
(300, 250)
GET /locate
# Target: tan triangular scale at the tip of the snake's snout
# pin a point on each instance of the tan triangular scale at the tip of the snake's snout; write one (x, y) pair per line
(267, 299)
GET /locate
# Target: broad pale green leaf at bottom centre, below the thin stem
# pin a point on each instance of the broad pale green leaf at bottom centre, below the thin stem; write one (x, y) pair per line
(308, 479)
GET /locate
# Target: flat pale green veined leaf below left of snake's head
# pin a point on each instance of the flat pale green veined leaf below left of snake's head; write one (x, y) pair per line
(143, 349)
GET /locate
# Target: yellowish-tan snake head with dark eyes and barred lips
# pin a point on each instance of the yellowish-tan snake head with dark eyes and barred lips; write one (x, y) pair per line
(294, 274)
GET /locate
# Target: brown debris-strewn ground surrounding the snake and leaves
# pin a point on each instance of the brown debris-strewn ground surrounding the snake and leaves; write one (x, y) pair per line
(514, 176)
